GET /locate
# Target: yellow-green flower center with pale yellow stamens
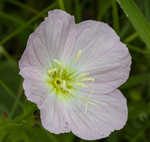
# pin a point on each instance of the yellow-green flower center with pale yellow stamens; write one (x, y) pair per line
(65, 81)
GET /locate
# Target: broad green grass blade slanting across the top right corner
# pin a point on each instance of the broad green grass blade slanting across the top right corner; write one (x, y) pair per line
(137, 19)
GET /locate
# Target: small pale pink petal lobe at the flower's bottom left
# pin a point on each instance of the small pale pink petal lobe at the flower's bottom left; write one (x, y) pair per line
(54, 117)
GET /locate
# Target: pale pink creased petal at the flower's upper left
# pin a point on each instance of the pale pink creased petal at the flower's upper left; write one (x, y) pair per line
(47, 42)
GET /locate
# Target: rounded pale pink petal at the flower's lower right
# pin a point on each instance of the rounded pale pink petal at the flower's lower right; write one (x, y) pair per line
(105, 114)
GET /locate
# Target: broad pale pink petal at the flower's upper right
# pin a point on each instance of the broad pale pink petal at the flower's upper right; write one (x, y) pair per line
(103, 55)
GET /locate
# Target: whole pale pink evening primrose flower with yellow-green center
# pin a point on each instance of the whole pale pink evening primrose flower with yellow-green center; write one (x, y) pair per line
(72, 72)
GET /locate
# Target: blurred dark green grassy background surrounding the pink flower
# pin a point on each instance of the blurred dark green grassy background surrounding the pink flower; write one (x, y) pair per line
(19, 119)
